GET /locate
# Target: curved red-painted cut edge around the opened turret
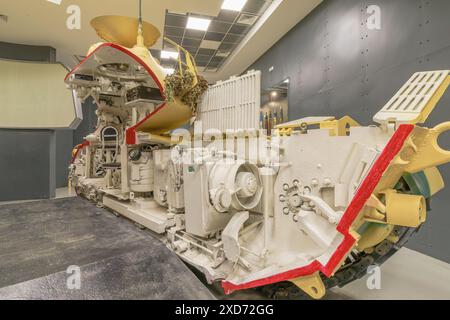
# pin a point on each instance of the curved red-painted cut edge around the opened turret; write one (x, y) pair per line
(130, 132)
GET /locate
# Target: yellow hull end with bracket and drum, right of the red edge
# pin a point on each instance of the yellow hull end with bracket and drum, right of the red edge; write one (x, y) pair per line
(402, 209)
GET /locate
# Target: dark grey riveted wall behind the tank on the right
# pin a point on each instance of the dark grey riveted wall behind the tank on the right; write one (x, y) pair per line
(337, 66)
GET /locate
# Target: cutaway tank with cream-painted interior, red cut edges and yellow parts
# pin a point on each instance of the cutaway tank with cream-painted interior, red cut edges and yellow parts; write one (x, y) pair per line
(313, 205)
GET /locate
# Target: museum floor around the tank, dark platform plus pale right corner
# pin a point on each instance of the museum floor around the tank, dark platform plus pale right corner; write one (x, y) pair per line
(117, 256)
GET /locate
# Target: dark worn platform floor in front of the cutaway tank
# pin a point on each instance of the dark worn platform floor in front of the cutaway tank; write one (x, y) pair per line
(40, 240)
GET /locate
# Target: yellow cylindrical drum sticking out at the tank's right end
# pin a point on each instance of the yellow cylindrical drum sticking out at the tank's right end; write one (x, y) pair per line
(404, 209)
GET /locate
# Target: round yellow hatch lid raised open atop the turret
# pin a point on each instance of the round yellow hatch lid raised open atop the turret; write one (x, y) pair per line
(124, 30)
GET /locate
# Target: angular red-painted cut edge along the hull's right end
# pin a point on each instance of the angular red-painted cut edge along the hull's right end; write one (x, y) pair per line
(393, 147)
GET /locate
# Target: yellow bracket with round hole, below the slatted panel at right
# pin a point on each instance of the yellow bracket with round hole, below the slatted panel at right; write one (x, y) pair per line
(428, 153)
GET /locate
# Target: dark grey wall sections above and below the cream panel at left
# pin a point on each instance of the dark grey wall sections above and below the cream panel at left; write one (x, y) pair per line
(43, 156)
